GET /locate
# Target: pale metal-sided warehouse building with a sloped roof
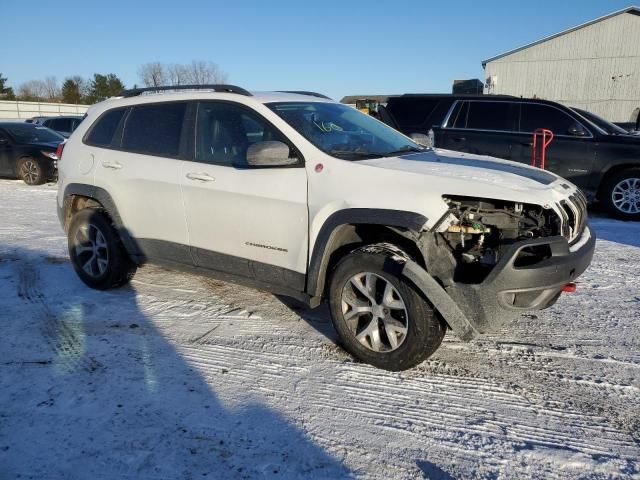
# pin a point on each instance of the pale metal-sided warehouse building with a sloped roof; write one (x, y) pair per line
(594, 66)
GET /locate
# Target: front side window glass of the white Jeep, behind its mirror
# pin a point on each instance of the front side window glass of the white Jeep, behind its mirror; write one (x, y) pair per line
(225, 131)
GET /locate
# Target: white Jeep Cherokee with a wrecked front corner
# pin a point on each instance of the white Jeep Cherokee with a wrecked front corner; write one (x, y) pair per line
(296, 194)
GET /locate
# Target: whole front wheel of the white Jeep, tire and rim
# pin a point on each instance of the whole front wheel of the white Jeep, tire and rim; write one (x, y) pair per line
(380, 317)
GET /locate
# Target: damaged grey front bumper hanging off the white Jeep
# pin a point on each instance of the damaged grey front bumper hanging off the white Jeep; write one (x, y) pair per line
(509, 290)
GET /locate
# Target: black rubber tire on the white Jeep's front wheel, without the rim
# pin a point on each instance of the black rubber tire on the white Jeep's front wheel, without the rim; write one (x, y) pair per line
(424, 328)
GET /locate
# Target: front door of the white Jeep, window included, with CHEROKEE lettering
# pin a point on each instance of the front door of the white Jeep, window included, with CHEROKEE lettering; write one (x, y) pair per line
(244, 220)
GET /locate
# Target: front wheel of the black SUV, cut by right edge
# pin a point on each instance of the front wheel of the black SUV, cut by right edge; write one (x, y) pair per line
(621, 194)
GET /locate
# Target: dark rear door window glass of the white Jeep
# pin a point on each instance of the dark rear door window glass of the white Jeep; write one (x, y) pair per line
(154, 129)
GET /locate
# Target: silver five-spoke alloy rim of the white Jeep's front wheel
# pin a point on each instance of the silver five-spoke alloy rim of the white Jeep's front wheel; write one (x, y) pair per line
(374, 312)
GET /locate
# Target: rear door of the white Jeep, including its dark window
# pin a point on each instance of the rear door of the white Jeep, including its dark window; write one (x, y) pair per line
(141, 171)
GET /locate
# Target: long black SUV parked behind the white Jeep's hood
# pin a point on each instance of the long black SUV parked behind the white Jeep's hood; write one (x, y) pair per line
(606, 166)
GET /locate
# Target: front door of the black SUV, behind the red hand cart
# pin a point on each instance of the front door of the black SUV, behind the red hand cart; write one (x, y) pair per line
(570, 155)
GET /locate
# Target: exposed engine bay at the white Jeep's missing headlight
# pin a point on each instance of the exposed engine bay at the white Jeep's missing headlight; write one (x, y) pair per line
(468, 241)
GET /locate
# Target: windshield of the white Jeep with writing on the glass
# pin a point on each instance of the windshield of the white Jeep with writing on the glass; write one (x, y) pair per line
(343, 131)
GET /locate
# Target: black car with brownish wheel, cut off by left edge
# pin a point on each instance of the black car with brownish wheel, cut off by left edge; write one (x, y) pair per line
(28, 152)
